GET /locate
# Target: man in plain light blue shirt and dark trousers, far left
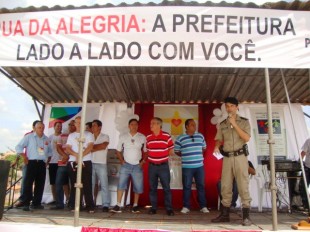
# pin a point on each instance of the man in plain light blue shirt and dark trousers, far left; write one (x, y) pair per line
(38, 155)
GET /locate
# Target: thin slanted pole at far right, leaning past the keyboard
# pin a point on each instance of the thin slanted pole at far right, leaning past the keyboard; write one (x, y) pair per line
(295, 135)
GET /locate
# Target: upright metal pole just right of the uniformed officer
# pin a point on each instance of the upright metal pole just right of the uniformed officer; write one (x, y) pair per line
(270, 141)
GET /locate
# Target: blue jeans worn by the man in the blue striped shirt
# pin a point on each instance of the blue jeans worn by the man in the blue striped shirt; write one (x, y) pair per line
(187, 178)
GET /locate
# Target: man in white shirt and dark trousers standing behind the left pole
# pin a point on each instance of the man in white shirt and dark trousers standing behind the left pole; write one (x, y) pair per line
(72, 148)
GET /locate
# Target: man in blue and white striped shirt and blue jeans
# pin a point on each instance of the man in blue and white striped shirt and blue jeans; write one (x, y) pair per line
(191, 146)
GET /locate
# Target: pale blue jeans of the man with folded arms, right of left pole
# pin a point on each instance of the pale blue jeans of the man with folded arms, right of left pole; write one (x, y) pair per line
(100, 171)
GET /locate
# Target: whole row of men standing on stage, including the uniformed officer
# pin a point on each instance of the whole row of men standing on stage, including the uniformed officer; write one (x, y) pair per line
(133, 150)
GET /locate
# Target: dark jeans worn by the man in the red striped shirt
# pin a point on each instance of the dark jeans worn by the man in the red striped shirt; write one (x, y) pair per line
(163, 173)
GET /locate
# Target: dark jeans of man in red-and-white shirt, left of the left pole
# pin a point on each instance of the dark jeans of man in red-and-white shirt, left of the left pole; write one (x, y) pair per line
(61, 180)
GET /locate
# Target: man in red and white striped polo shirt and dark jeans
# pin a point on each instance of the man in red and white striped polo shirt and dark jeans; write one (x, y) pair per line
(159, 145)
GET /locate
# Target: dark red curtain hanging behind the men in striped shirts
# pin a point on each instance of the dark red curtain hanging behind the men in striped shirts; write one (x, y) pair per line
(212, 166)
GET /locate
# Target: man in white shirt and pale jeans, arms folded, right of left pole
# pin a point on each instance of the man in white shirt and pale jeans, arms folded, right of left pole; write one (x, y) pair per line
(99, 161)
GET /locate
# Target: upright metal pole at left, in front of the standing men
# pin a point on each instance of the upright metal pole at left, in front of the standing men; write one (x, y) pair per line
(78, 184)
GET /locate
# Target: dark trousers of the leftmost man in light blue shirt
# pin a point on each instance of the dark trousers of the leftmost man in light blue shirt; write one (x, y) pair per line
(35, 173)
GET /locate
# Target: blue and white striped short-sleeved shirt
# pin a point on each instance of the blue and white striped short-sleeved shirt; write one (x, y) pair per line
(191, 148)
